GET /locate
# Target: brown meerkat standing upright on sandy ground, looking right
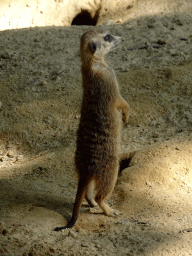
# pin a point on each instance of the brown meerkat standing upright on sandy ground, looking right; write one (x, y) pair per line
(98, 135)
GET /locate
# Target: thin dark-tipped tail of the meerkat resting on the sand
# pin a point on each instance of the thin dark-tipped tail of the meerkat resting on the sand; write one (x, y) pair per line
(82, 188)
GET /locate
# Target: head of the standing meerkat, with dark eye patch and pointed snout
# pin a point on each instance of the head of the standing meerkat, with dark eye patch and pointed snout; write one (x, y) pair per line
(96, 43)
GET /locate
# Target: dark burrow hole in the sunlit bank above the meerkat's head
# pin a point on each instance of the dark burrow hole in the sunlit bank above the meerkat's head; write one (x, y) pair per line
(84, 18)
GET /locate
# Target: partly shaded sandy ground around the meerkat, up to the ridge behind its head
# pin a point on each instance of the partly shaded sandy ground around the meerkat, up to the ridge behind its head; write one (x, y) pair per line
(40, 98)
